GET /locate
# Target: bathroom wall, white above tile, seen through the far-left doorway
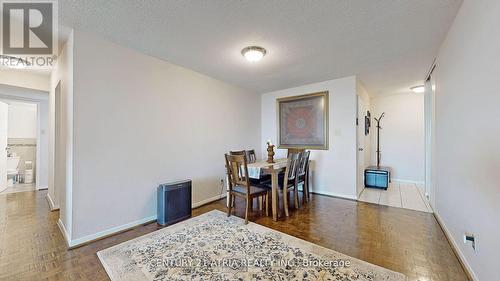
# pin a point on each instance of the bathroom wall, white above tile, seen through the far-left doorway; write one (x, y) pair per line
(22, 129)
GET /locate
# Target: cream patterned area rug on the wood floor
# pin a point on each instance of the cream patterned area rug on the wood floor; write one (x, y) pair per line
(213, 246)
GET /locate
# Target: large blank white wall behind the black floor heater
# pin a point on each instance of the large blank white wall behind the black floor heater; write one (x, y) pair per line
(140, 121)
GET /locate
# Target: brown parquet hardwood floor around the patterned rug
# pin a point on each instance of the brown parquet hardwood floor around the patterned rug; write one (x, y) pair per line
(32, 247)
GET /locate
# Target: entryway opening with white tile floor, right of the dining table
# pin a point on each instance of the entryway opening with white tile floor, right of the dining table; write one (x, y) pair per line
(403, 150)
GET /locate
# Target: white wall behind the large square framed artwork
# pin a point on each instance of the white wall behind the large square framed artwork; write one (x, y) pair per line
(334, 170)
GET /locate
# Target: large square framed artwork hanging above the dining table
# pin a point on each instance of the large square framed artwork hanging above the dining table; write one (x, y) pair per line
(303, 121)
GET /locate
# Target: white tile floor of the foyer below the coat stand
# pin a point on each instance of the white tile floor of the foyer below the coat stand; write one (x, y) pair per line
(400, 195)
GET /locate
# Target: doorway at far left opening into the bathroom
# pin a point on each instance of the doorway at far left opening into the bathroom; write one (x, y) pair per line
(24, 138)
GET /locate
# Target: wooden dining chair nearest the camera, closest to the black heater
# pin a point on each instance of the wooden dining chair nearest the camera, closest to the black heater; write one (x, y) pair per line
(239, 184)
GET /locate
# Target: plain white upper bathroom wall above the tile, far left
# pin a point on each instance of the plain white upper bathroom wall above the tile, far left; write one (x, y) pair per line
(22, 121)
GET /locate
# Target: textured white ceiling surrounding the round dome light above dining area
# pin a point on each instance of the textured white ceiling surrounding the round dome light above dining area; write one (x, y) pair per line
(389, 44)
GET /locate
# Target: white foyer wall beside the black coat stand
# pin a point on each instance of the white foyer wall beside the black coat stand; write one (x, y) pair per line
(402, 139)
